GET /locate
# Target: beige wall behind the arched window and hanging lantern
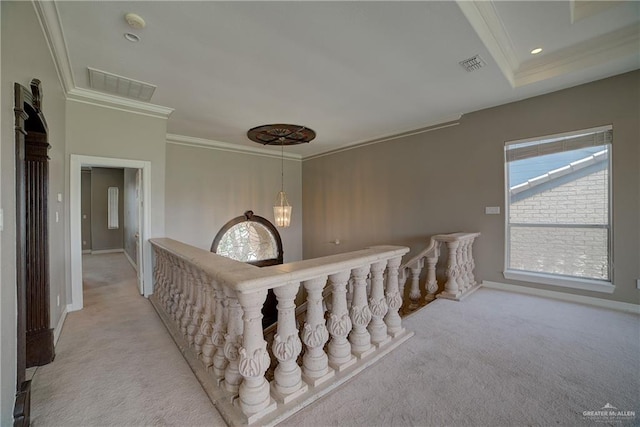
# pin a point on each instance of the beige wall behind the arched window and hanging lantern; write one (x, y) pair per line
(208, 187)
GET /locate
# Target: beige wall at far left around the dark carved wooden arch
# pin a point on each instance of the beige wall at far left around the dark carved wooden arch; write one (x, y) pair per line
(25, 56)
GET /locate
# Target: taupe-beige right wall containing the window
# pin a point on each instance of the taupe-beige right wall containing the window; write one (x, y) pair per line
(402, 191)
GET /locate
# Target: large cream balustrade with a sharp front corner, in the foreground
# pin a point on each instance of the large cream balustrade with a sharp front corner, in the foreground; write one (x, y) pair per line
(212, 305)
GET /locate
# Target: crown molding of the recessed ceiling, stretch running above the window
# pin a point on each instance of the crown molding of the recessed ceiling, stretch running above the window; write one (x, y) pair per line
(598, 50)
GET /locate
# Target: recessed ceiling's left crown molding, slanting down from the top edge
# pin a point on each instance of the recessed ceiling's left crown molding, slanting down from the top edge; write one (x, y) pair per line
(484, 19)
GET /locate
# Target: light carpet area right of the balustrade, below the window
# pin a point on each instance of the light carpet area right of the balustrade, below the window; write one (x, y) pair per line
(495, 359)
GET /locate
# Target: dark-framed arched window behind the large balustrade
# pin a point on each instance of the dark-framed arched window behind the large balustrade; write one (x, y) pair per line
(252, 239)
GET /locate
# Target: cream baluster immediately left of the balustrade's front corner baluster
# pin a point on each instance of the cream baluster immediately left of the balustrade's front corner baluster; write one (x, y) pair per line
(232, 342)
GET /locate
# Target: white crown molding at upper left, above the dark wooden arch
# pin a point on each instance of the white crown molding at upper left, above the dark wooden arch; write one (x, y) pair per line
(49, 20)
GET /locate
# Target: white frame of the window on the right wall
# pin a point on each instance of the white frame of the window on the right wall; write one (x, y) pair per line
(604, 286)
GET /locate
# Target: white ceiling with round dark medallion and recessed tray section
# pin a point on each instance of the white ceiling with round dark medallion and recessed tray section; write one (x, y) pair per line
(351, 71)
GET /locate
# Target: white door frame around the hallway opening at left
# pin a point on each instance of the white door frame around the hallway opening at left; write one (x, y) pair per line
(75, 222)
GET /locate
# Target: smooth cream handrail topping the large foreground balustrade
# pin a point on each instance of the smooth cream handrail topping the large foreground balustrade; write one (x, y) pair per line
(244, 278)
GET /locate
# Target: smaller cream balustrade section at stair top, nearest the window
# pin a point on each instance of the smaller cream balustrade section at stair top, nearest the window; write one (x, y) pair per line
(460, 280)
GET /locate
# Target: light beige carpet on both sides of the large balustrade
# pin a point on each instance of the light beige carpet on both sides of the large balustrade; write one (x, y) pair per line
(494, 359)
